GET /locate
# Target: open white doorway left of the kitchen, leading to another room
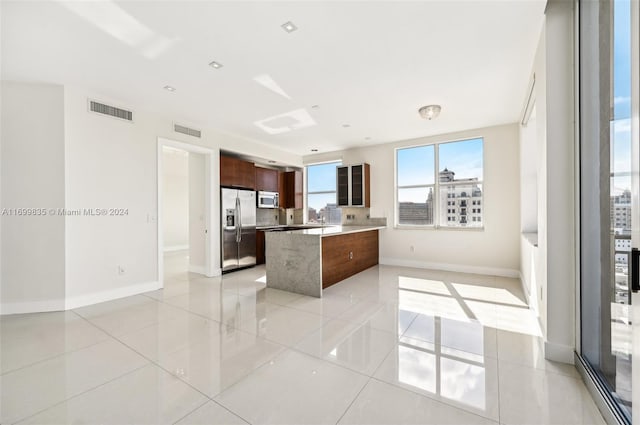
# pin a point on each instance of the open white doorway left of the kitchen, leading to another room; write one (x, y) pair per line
(184, 211)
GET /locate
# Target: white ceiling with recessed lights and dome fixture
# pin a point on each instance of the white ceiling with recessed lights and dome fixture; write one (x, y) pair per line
(368, 66)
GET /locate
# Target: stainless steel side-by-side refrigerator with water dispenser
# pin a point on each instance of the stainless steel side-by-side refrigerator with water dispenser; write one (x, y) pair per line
(238, 228)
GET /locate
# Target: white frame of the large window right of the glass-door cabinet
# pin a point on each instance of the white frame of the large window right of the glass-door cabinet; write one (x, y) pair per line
(439, 222)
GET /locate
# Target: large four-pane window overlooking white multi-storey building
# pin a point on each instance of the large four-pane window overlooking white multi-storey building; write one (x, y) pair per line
(424, 200)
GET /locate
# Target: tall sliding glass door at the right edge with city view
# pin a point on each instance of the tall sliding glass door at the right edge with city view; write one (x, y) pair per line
(609, 195)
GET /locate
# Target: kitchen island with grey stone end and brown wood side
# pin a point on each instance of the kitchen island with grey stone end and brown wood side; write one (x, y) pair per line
(308, 260)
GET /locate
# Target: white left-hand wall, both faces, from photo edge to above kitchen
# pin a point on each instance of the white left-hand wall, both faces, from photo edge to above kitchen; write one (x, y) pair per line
(77, 159)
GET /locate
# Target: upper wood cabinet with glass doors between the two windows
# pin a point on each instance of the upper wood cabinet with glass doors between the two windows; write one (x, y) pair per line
(353, 186)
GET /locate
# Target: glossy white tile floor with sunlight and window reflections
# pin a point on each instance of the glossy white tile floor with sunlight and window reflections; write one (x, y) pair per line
(390, 345)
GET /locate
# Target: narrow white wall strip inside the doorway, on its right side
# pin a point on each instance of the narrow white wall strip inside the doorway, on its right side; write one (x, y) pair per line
(197, 223)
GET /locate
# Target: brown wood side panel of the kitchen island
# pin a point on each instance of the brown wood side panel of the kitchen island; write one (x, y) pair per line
(346, 255)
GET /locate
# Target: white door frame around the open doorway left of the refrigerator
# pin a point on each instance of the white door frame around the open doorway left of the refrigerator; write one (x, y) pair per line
(211, 159)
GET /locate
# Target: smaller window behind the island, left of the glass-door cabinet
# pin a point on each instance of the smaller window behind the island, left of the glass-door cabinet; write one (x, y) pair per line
(321, 194)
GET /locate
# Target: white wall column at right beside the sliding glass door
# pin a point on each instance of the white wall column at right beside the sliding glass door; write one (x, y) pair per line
(549, 269)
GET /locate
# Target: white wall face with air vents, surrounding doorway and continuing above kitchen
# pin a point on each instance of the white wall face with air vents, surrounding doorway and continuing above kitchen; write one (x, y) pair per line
(123, 159)
